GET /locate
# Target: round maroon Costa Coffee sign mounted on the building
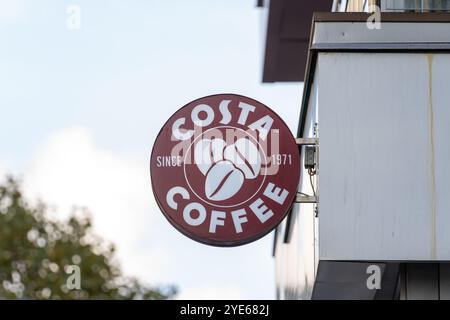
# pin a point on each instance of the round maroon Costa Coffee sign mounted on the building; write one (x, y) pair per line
(225, 170)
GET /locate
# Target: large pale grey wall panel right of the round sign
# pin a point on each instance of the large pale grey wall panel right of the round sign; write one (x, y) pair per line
(384, 151)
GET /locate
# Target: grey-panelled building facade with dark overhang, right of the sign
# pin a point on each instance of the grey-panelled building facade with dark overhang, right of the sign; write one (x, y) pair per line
(377, 108)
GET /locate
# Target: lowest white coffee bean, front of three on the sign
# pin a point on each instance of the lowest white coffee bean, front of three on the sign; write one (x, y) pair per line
(223, 181)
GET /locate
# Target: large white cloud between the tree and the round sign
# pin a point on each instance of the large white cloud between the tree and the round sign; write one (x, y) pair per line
(69, 169)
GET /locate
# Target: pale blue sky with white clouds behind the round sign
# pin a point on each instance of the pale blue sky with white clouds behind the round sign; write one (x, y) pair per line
(80, 109)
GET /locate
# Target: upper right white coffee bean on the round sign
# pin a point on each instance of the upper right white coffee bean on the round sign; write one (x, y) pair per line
(245, 156)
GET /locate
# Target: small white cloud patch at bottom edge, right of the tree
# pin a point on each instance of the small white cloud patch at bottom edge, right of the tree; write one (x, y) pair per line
(210, 293)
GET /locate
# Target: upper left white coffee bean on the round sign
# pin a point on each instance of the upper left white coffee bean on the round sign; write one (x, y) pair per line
(207, 152)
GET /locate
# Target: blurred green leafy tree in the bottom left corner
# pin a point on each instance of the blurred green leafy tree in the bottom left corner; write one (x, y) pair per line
(40, 257)
